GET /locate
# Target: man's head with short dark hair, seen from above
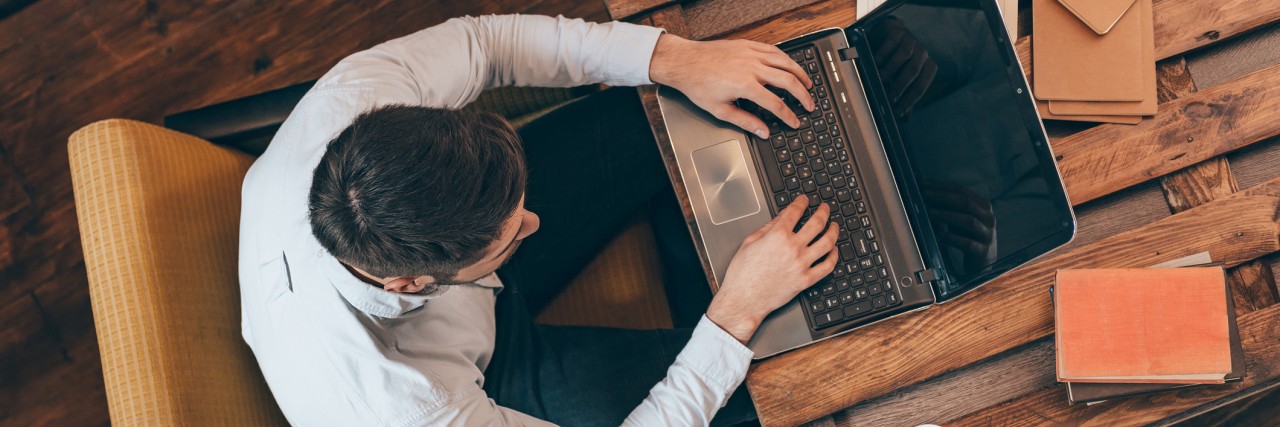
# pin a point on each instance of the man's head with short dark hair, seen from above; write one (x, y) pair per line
(413, 196)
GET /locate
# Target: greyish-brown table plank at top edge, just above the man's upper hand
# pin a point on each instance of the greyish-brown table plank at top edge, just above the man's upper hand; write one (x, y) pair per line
(711, 19)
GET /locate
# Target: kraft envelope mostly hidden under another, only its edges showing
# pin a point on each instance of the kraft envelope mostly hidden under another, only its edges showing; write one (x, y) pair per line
(1148, 107)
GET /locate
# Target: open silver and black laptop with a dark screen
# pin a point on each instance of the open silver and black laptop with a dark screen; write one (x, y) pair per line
(927, 146)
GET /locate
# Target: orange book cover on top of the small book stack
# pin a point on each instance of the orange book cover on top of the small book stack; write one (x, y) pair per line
(1142, 325)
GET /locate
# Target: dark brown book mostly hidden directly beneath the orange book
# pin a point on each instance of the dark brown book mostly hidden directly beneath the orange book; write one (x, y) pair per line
(1091, 393)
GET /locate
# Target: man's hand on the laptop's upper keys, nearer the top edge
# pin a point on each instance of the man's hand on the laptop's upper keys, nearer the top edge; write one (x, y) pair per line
(716, 74)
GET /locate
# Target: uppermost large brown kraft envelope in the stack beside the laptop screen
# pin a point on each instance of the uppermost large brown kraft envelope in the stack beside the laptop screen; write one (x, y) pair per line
(1073, 62)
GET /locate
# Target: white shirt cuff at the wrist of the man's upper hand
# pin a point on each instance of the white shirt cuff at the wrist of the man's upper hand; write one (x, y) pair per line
(629, 54)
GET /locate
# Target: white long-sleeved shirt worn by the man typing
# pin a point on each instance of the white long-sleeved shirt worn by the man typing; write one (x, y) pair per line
(339, 352)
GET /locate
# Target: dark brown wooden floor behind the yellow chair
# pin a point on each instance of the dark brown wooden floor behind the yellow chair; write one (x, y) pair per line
(67, 63)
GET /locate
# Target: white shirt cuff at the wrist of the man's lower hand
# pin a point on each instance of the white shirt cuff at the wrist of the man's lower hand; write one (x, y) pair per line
(716, 356)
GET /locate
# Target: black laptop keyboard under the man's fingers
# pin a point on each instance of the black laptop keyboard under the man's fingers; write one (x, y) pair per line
(815, 160)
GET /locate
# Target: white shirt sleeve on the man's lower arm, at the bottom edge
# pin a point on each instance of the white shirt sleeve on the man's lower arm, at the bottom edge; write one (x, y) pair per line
(706, 374)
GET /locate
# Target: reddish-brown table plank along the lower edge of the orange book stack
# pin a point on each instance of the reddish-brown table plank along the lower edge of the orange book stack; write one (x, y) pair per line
(1260, 337)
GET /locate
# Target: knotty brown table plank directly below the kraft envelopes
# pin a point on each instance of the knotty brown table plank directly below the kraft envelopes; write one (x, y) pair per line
(1187, 131)
